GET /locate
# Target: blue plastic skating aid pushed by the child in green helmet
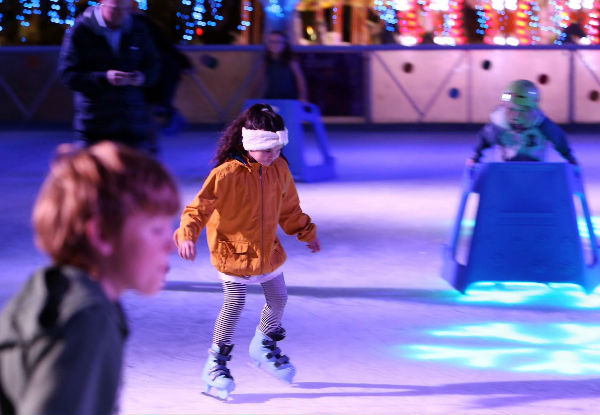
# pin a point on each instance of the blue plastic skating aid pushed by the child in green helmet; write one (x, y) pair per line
(525, 228)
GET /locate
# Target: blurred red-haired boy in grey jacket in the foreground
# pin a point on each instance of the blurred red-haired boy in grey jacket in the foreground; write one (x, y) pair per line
(104, 215)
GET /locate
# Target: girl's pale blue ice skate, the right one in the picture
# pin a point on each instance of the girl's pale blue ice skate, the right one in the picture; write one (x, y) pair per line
(265, 353)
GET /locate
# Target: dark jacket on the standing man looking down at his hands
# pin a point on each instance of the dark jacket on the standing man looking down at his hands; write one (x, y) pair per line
(86, 56)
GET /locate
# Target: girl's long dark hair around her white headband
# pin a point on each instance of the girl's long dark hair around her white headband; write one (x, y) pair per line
(257, 117)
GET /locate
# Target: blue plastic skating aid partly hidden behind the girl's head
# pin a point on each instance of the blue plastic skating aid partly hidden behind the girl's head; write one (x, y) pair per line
(295, 113)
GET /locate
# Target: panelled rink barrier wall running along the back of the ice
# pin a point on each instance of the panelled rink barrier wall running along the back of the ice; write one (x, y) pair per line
(369, 84)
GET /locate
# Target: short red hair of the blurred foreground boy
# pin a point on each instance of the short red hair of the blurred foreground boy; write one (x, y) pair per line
(106, 181)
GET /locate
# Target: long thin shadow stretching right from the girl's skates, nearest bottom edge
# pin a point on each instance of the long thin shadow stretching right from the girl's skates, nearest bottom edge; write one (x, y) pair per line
(485, 394)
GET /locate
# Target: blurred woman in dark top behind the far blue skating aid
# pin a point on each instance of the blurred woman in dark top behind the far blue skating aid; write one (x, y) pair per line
(283, 76)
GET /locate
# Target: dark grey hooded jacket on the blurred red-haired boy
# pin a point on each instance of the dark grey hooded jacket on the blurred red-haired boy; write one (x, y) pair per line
(61, 346)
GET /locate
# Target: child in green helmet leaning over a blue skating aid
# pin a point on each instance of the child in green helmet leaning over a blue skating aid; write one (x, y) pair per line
(519, 130)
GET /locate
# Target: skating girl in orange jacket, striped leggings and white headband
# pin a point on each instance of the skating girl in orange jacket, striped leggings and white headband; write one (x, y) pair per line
(245, 197)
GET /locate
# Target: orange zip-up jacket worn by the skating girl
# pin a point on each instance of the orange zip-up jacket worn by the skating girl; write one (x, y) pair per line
(241, 203)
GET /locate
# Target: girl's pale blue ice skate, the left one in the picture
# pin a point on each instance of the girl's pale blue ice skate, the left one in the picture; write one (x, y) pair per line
(215, 373)
